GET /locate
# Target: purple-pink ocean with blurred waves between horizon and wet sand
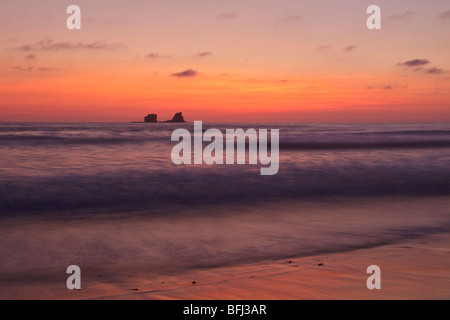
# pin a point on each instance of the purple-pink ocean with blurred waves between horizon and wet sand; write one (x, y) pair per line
(107, 197)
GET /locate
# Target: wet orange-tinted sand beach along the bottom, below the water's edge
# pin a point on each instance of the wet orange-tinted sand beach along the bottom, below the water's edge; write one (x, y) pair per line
(416, 269)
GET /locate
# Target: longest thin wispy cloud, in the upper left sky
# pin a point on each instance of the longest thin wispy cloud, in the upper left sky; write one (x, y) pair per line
(48, 44)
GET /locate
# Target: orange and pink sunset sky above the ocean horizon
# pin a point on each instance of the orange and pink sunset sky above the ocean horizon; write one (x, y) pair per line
(225, 61)
